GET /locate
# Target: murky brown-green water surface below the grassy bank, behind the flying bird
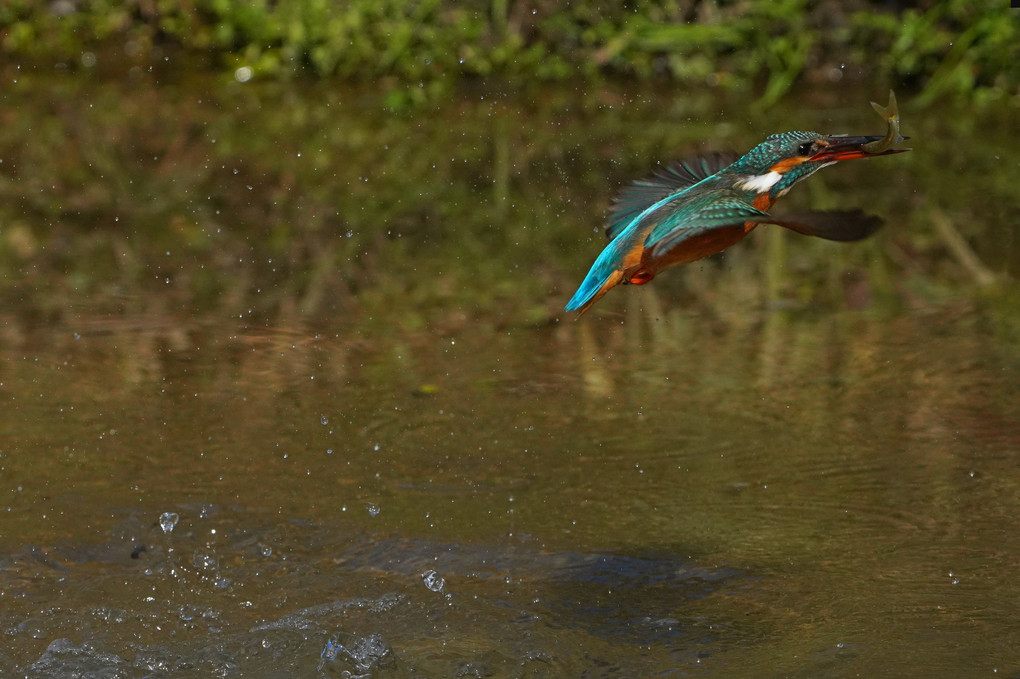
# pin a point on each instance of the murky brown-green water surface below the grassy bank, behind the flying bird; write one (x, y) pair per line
(337, 427)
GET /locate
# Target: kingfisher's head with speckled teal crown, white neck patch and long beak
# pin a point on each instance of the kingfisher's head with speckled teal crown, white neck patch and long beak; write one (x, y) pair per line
(782, 161)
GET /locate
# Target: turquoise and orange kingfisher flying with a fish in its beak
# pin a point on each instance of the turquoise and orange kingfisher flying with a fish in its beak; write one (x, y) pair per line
(704, 204)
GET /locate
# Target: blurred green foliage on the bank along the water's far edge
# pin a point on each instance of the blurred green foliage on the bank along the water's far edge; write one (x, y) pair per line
(956, 48)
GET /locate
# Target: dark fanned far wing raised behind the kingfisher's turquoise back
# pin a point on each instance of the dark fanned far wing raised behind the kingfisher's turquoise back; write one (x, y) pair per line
(675, 178)
